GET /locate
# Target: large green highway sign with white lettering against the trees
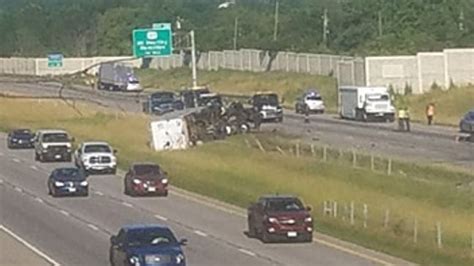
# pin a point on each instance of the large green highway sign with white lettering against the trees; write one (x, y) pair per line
(154, 42)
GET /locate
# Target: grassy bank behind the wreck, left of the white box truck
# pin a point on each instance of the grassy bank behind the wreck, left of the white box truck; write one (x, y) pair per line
(287, 85)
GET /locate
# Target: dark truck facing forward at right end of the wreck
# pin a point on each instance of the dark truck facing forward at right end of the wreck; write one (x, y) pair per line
(268, 105)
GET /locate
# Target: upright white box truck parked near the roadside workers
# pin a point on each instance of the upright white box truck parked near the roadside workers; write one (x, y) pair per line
(366, 103)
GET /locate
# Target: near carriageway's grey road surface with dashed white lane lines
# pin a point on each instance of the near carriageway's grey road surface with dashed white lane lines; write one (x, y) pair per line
(76, 231)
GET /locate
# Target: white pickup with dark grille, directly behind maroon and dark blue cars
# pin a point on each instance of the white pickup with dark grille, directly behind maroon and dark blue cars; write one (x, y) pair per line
(96, 157)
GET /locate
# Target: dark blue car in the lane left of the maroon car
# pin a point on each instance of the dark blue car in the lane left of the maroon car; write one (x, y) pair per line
(68, 181)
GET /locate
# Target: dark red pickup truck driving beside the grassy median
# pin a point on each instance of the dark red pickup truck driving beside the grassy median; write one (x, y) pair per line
(276, 217)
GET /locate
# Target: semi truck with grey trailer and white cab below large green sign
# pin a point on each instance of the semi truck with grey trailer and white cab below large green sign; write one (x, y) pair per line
(114, 76)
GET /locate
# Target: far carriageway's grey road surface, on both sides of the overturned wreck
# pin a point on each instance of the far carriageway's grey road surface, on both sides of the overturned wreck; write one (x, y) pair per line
(435, 145)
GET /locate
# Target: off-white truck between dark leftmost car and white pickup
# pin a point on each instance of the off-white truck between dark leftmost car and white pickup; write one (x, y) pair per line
(53, 145)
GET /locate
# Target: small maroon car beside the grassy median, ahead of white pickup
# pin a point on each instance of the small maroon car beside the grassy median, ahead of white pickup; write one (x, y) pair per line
(146, 179)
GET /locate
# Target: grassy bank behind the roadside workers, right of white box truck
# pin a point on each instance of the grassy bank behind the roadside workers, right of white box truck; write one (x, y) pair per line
(451, 105)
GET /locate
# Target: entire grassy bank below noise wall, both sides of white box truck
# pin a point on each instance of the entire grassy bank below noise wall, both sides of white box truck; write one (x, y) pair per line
(451, 105)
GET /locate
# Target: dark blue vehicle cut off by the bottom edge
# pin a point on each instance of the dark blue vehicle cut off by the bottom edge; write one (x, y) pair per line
(151, 245)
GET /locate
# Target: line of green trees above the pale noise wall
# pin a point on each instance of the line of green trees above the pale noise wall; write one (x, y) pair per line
(356, 27)
